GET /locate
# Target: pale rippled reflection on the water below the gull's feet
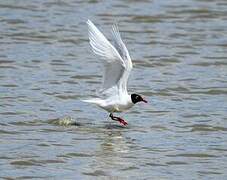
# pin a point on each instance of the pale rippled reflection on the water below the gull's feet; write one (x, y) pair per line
(114, 148)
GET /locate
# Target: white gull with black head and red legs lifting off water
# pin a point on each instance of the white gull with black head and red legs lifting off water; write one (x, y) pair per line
(117, 67)
